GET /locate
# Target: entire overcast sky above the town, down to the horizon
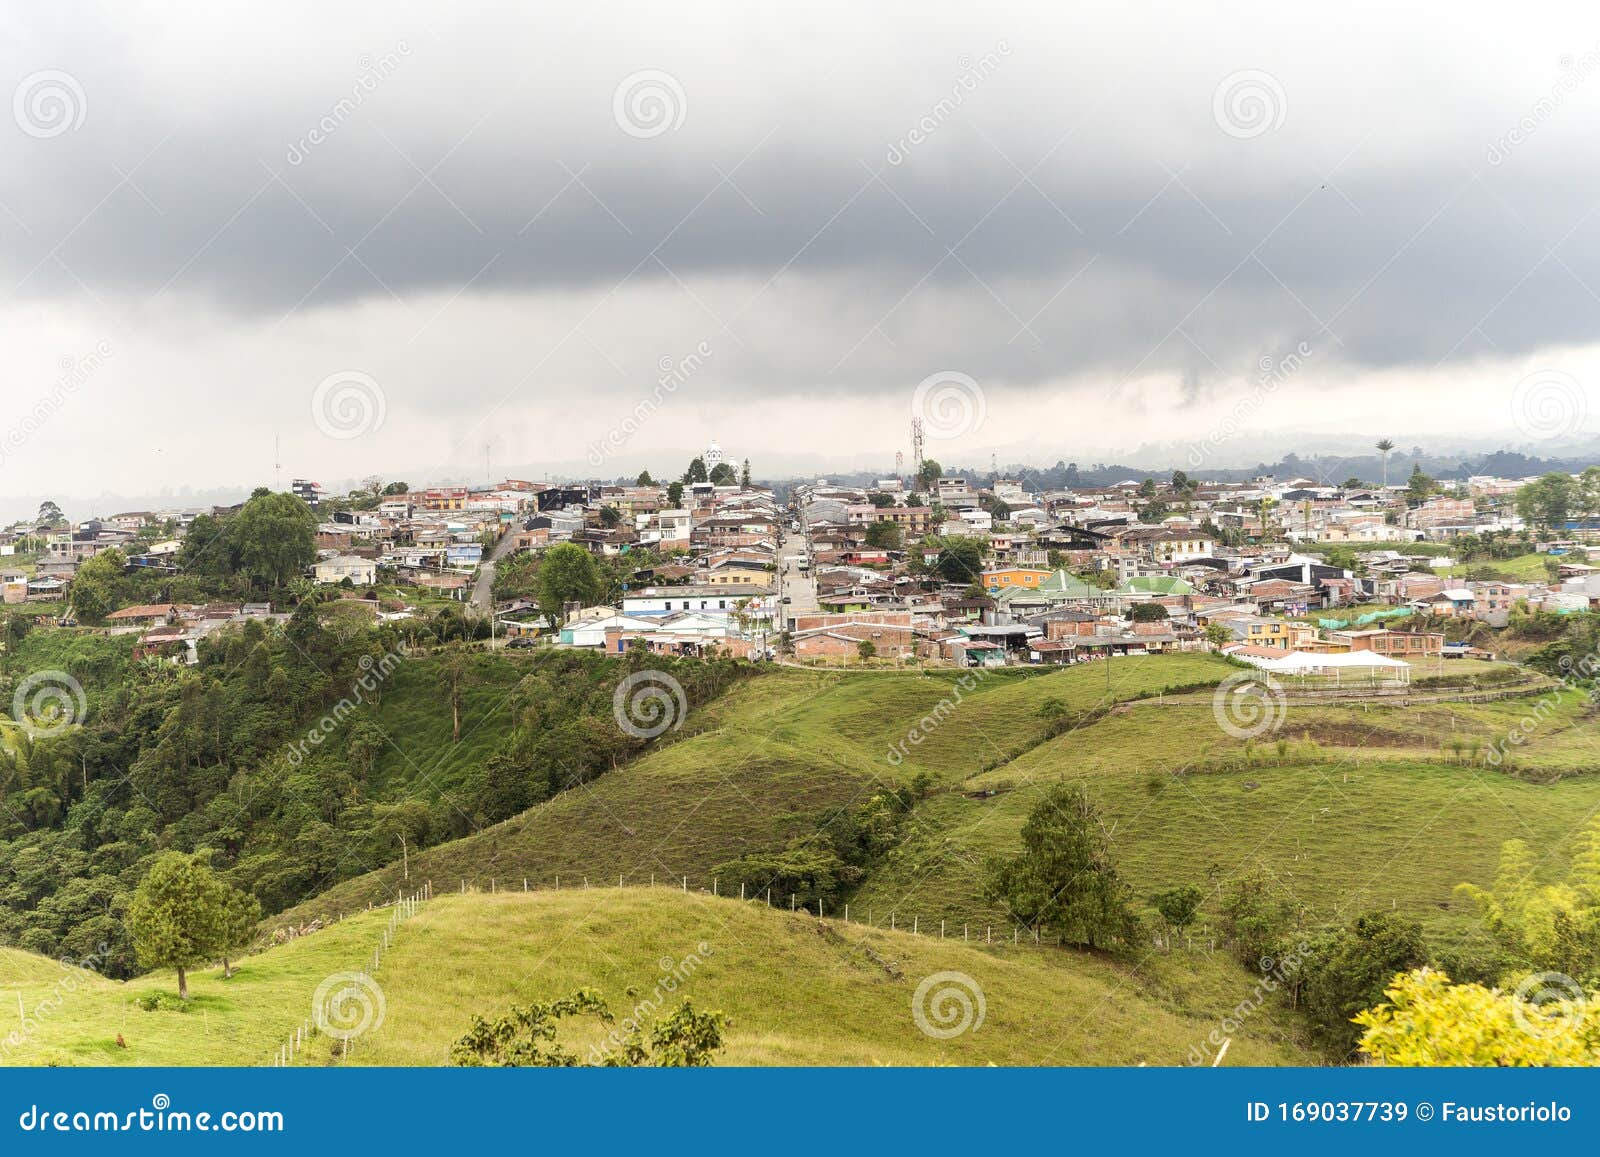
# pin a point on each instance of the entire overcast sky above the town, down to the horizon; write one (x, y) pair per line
(399, 238)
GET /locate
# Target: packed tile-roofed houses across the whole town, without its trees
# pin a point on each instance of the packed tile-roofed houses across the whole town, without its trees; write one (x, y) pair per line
(849, 572)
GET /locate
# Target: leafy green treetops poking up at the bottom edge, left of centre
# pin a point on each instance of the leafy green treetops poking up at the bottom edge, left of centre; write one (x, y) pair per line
(526, 1038)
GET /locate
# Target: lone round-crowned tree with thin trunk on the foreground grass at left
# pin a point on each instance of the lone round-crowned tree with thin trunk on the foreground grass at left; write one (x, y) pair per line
(177, 916)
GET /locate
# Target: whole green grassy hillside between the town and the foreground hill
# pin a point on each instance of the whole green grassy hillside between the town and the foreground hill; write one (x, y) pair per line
(1367, 806)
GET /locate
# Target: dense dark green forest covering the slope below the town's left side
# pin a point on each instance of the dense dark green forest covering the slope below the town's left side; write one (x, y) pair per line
(297, 755)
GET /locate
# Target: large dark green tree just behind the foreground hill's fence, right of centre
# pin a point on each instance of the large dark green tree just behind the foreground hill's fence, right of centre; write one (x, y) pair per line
(1065, 881)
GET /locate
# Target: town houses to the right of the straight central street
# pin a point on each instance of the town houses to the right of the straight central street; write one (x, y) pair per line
(1071, 577)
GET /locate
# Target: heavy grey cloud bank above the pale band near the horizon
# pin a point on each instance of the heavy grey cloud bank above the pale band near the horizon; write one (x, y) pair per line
(1079, 209)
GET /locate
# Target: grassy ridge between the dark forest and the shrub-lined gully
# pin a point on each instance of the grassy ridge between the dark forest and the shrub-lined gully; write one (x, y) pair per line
(770, 756)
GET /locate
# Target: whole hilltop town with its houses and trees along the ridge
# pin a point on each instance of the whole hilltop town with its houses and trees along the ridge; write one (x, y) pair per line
(1300, 577)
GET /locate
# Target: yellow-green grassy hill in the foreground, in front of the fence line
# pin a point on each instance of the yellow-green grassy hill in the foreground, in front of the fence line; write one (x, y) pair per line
(799, 991)
